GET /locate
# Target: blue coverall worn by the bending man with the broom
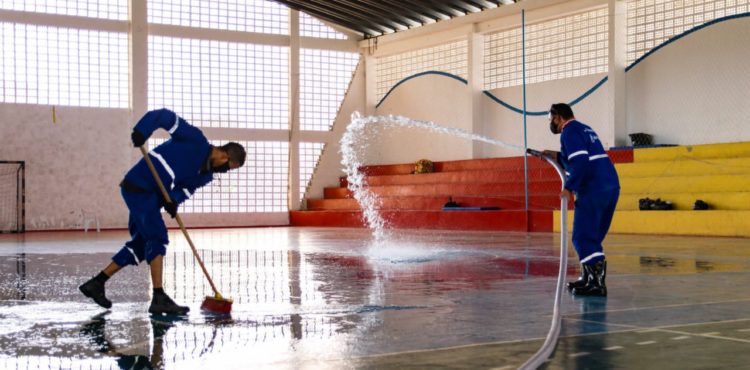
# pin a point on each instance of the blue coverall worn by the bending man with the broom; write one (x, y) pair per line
(182, 165)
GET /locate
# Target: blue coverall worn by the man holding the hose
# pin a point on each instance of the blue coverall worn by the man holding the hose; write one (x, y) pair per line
(593, 178)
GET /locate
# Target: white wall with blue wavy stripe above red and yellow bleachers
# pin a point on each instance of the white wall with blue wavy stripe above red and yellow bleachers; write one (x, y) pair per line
(692, 91)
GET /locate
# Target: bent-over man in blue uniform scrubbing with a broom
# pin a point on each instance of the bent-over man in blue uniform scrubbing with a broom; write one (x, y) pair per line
(184, 163)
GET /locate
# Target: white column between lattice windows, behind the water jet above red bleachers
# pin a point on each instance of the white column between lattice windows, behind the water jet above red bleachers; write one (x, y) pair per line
(476, 88)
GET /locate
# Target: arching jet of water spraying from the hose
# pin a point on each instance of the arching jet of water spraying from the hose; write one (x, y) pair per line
(354, 142)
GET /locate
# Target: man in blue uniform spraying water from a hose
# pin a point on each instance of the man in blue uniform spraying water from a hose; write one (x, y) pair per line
(593, 179)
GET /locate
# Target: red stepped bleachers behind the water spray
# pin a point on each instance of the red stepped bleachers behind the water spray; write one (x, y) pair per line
(416, 200)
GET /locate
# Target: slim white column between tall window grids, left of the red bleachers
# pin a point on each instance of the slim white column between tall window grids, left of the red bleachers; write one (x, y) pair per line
(294, 124)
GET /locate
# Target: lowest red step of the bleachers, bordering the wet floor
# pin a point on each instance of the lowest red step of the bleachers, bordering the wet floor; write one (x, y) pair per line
(510, 220)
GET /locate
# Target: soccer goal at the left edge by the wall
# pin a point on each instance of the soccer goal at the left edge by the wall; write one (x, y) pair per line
(12, 196)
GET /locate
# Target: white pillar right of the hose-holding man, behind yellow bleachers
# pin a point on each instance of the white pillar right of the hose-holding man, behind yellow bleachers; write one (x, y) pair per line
(617, 63)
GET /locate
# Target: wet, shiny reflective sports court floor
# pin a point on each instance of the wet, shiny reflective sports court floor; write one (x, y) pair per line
(309, 298)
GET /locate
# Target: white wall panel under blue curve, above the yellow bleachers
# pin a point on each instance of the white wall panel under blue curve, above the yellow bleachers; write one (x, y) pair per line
(695, 90)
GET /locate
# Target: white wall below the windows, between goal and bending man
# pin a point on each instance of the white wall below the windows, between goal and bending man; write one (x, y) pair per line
(72, 165)
